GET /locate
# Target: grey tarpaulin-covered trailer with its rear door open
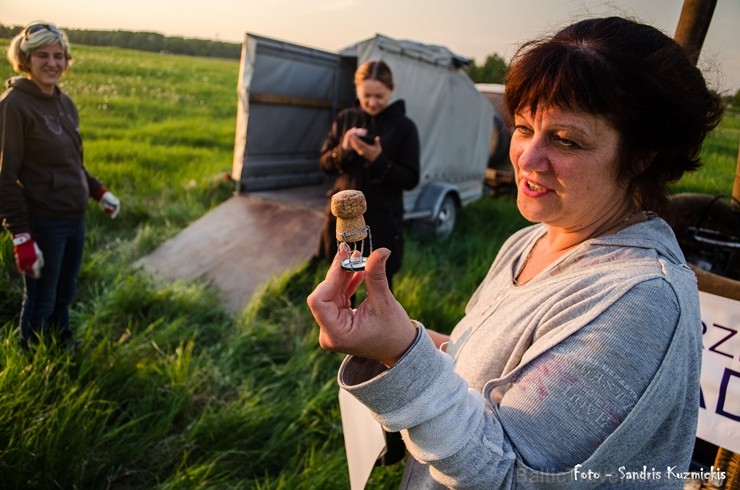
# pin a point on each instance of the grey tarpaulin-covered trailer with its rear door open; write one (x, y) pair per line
(289, 95)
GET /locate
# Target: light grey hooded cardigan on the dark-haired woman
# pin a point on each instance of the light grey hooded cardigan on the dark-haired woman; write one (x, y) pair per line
(585, 376)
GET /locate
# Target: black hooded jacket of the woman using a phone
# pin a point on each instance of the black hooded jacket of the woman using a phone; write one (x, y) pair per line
(382, 181)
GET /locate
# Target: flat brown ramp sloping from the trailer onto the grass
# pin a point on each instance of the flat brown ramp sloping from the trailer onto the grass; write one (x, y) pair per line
(242, 243)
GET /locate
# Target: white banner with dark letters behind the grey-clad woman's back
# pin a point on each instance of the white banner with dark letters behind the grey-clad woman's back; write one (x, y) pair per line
(719, 415)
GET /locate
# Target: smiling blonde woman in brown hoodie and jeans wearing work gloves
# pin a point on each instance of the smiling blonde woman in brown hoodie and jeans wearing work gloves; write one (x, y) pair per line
(44, 186)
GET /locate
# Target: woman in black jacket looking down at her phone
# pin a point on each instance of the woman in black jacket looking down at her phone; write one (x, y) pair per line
(373, 147)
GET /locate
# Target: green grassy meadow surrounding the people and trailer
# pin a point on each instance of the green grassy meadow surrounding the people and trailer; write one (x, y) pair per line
(168, 390)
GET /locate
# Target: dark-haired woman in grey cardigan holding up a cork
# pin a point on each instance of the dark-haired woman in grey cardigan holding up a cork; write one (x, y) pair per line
(577, 362)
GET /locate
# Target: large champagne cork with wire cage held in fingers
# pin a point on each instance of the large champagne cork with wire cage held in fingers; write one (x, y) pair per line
(348, 207)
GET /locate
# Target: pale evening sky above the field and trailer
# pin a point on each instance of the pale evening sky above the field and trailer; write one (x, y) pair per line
(470, 28)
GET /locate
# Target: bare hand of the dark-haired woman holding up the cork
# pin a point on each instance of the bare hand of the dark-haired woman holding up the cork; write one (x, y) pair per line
(379, 329)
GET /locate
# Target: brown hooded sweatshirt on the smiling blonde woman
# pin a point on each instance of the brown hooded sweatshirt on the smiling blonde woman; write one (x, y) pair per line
(41, 165)
